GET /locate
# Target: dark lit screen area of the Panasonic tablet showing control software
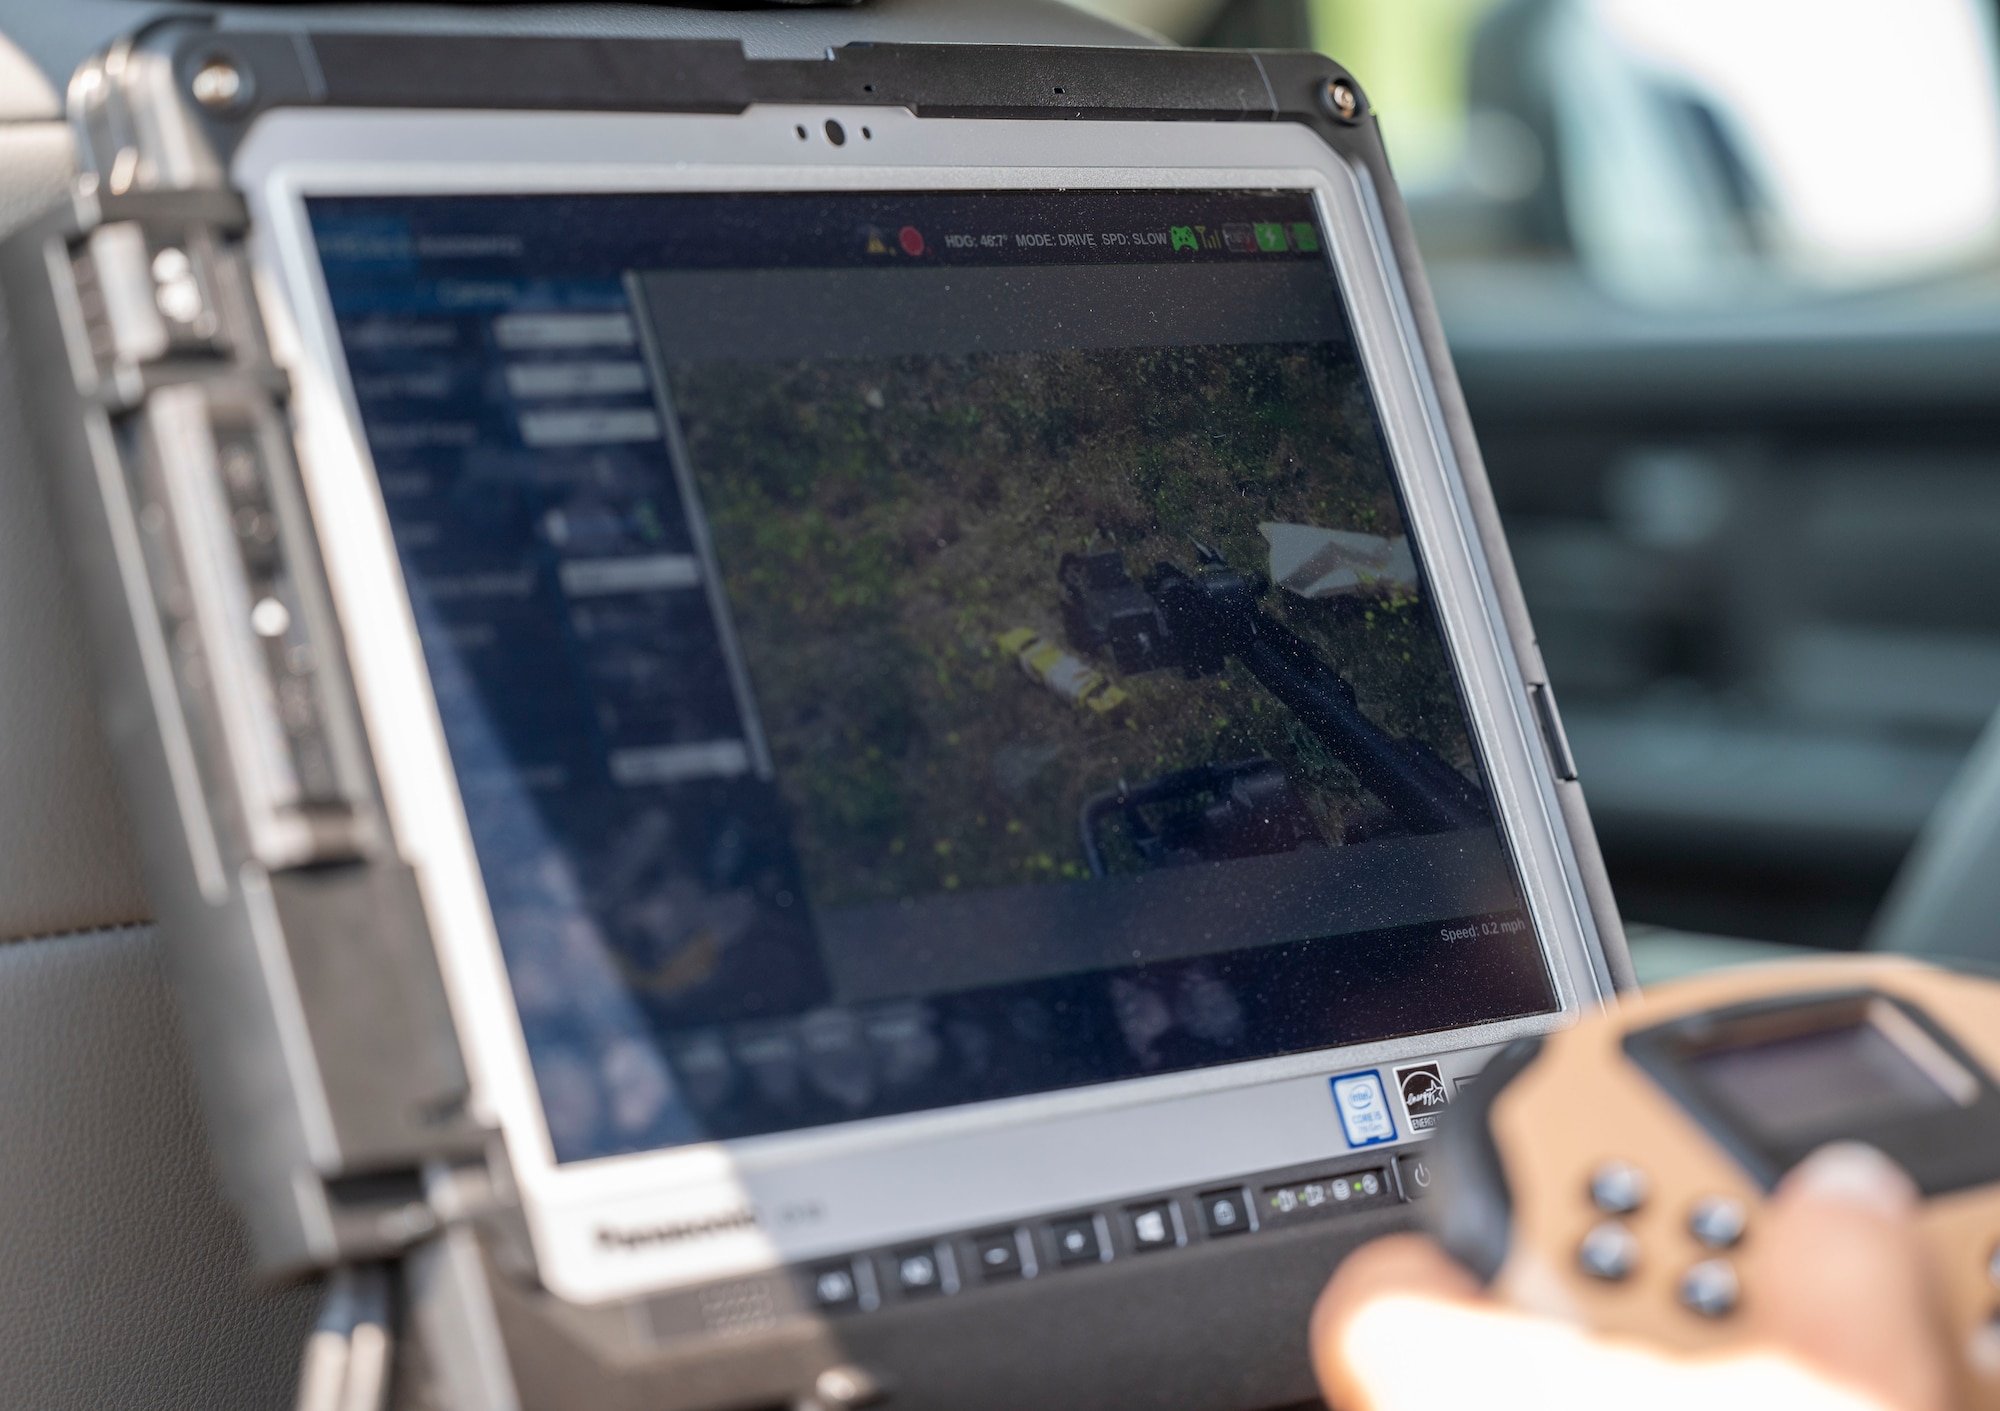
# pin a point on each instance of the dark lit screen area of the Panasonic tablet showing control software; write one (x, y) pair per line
(901, 651)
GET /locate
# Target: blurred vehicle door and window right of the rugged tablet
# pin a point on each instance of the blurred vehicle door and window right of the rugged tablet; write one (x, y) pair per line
(1733, 345)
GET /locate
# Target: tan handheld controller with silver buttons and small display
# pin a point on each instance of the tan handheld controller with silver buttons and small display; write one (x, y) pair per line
(1625, 1162)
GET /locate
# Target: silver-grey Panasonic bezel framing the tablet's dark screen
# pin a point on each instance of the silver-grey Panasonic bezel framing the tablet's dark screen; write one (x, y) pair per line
(739, 1206)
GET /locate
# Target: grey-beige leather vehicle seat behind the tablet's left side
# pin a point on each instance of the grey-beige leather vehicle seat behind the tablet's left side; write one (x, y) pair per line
(123, 1272)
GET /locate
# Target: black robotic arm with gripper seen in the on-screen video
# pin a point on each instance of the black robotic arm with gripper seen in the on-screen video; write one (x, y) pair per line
(1199, 621)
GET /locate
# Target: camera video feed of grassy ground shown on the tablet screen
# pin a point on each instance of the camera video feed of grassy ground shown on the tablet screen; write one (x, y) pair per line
(979, 679)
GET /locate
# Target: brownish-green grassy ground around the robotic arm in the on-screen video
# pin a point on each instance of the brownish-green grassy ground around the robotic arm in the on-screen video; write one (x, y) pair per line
(881, 523)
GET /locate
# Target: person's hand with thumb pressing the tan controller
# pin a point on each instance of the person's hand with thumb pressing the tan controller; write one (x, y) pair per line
(1841, 1318)
